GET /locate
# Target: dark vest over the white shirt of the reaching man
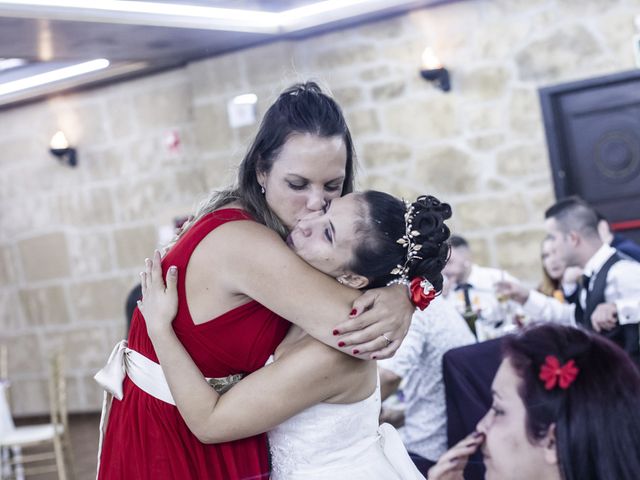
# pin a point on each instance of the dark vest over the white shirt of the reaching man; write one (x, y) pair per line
(626, 336)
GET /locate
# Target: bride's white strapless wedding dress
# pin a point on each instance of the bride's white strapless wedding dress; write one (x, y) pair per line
(340, 442)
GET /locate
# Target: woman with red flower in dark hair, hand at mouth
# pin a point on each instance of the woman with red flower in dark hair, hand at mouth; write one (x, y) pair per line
(565, 407)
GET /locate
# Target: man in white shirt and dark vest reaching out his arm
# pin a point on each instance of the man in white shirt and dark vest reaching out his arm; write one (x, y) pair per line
(608, 300)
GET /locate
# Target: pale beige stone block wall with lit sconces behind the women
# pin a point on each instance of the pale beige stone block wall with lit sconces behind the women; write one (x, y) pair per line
(72, 240)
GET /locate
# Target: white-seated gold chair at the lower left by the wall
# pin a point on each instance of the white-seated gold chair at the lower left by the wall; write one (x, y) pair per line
(54, 434)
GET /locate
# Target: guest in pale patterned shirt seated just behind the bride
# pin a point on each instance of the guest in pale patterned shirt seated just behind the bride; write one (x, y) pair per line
(419, 362)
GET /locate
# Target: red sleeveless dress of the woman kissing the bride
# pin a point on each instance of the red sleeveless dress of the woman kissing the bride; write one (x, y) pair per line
(147, 438)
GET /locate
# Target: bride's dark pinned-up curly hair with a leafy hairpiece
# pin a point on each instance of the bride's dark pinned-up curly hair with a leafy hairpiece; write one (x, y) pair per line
(383, 223)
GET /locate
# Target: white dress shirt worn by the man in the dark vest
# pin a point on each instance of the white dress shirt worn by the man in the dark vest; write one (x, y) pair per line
(622, 289)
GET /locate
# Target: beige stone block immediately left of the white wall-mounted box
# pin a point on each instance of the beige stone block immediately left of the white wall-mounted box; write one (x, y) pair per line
(212, 130)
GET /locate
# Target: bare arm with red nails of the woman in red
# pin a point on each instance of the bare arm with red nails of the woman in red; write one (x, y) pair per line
(277, 278)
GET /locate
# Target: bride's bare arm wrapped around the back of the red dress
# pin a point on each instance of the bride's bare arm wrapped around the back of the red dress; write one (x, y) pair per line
(302, 378)
